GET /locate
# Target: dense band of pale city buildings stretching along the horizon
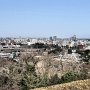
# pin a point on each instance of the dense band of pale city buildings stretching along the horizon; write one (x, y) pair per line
(70, 42)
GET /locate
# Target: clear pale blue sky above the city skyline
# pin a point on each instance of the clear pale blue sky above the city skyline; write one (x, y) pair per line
(44, 18)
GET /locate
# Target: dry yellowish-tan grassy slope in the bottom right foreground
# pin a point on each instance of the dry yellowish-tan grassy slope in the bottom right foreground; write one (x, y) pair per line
(75, 85)
